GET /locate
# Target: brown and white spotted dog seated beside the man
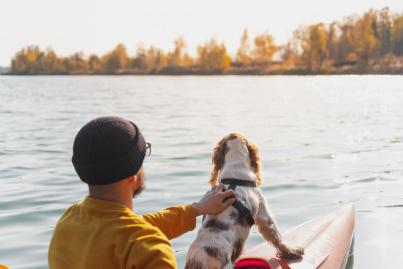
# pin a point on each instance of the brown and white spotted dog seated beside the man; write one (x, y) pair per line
(221, 238)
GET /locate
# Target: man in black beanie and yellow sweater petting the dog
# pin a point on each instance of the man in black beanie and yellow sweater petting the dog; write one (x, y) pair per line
(102, 231)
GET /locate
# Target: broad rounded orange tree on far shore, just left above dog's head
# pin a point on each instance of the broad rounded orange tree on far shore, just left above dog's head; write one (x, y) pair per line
(212, 55)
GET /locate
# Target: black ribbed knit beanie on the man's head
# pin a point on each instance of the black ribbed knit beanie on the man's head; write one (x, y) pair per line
(107, 150)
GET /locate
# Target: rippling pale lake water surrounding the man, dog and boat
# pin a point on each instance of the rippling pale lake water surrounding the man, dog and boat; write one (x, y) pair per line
(324, 141)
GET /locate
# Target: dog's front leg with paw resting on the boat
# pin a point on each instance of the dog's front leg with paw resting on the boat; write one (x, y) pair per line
(268, 228)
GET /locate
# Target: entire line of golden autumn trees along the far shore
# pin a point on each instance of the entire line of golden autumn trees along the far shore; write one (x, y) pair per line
(376, 36)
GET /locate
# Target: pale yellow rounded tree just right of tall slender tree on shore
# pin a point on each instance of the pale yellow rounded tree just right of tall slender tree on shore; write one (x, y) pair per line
(264, 49)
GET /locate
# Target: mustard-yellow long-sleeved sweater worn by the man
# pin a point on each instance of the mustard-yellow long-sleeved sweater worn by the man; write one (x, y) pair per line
(100, 234)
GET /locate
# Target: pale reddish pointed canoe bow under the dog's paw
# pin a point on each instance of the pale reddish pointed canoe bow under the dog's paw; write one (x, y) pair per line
(328, 241)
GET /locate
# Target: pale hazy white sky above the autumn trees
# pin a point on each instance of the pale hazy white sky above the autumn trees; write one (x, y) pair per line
(97, 26)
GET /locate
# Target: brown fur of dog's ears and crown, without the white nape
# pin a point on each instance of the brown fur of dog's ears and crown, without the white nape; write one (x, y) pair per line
(221, 150)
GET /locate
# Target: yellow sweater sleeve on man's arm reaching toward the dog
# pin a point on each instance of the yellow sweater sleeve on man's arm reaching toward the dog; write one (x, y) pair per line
(173, 221)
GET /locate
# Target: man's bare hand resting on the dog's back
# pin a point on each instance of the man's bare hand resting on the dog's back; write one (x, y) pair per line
(212, 201)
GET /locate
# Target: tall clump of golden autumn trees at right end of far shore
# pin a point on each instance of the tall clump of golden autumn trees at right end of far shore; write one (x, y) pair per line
(375, 36)
